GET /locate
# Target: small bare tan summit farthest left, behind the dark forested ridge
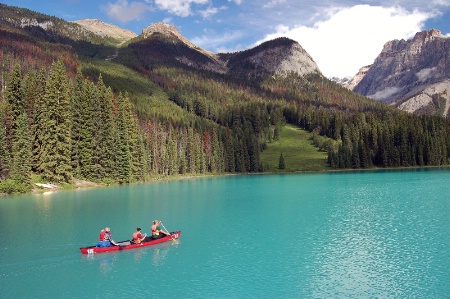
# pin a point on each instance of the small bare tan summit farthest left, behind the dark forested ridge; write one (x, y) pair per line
(108, 30)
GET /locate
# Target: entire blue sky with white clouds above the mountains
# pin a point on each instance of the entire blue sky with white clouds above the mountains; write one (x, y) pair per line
(340, 35)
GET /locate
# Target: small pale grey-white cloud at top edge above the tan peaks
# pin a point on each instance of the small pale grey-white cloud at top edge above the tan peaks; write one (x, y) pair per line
(124, 11)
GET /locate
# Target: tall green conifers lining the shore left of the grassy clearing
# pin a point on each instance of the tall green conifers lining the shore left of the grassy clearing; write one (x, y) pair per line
(61, 127)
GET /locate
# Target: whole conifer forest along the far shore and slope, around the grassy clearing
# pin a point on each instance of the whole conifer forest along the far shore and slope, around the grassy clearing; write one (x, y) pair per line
(60, 124)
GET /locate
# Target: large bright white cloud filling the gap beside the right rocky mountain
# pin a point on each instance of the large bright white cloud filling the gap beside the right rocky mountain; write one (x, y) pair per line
(352, 37)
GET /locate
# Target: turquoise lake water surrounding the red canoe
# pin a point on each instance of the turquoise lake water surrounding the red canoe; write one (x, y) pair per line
(368, 234)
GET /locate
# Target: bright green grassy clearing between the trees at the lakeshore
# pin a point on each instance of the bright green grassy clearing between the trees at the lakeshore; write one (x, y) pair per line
(298, 151)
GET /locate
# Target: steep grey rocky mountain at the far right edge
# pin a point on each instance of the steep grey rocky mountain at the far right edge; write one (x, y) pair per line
(412, 75)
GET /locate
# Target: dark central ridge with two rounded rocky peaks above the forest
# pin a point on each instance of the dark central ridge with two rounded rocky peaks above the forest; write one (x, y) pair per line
(281, 56)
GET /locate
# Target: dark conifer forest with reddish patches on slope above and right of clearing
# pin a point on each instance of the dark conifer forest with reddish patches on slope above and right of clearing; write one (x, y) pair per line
(360, 132)
